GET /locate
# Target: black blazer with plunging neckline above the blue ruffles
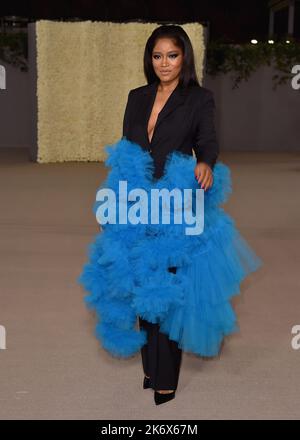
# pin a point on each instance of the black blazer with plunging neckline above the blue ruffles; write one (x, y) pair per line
(185, 123)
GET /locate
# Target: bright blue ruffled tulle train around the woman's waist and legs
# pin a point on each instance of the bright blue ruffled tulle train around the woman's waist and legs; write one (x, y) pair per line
(127, 270)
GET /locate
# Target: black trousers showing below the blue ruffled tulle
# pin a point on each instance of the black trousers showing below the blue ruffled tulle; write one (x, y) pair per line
(161, 357)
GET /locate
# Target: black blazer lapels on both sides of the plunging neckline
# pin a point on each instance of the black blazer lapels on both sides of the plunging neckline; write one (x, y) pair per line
(176, 99)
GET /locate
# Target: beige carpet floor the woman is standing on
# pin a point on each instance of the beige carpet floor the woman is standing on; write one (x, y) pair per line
(54, 368)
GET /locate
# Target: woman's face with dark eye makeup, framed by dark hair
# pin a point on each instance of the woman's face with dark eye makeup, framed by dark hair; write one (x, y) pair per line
(167, 60)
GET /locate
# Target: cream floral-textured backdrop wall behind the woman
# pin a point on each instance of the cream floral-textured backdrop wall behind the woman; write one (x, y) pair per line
(84, 73)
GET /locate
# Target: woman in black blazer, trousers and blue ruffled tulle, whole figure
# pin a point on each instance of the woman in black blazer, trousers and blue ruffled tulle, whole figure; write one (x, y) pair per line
(178, 285)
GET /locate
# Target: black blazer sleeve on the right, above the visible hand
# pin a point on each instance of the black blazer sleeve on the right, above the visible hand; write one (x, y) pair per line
(206, 146)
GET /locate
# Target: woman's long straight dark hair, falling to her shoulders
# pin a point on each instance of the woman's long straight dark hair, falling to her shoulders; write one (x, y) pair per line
(188, 74)
